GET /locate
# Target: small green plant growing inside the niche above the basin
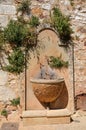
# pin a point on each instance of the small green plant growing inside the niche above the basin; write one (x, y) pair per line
(56, 62)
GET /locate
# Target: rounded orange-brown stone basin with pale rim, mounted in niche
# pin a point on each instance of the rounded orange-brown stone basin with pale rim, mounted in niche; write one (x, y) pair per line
(47, 90)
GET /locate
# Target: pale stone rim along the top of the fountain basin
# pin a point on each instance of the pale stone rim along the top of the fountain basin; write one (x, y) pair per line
(46, 81)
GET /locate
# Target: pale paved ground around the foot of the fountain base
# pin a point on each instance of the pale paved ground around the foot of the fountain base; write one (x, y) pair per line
(14, 122)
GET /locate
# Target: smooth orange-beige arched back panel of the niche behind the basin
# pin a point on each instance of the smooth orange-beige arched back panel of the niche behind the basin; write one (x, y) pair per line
(49, 47)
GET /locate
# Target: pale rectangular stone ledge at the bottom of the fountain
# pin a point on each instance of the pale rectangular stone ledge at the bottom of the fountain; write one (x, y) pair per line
(46, 117)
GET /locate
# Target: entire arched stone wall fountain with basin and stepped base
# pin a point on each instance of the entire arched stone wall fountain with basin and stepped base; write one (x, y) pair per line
(50, 98)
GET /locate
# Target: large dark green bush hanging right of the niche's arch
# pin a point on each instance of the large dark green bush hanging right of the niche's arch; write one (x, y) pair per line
(62, 25)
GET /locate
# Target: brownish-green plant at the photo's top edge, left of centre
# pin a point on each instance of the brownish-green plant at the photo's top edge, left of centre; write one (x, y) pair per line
(24, 7)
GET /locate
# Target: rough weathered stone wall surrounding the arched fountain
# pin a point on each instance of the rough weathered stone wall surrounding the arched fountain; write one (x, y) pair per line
(42, 8)
